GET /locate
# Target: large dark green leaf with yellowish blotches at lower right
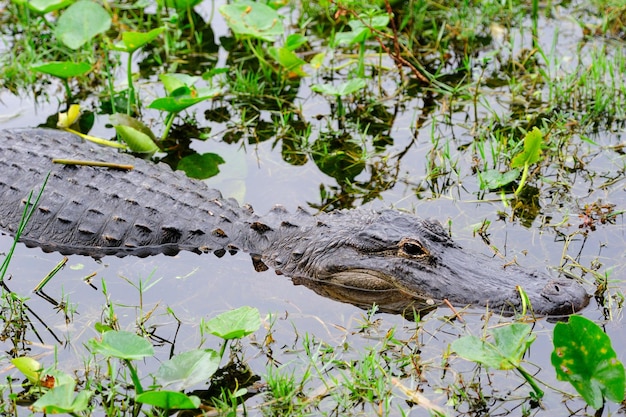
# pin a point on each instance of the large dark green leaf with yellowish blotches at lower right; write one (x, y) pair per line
(583, 355)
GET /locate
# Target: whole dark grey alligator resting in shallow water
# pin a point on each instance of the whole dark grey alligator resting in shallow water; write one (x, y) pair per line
(151, 209)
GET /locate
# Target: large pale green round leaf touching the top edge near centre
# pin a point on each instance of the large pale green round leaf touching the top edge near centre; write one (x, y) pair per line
(257, 20)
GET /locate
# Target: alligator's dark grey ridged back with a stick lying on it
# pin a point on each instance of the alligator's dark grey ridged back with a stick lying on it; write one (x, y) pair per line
(99, 211)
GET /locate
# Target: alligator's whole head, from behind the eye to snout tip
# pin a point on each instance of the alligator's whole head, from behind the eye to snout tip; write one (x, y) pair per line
(390, 249)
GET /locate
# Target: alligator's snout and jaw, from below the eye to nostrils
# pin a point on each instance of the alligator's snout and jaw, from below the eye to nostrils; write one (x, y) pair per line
(455, 277)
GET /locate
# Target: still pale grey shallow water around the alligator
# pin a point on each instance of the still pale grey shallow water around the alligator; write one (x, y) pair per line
(197, 287)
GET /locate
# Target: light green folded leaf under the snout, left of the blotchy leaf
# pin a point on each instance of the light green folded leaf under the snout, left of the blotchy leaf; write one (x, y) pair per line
(506, 351)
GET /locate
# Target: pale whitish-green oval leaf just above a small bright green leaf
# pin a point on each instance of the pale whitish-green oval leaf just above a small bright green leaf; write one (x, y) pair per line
(188, 369)
